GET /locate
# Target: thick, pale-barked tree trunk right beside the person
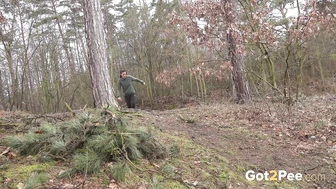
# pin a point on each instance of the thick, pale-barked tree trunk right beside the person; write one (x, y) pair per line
(103, 93)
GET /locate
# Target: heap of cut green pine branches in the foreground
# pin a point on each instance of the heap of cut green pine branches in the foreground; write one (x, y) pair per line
(92, 139)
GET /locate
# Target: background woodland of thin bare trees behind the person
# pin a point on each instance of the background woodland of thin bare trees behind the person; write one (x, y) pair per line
(179, 48)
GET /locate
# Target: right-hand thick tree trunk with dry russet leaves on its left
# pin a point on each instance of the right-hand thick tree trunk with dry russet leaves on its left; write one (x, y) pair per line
(220, 33)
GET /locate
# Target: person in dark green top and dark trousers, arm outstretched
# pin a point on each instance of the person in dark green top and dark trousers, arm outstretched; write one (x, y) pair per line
(125, 82)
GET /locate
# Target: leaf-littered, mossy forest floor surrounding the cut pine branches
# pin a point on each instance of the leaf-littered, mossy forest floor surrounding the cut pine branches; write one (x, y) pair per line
(218, 144)
